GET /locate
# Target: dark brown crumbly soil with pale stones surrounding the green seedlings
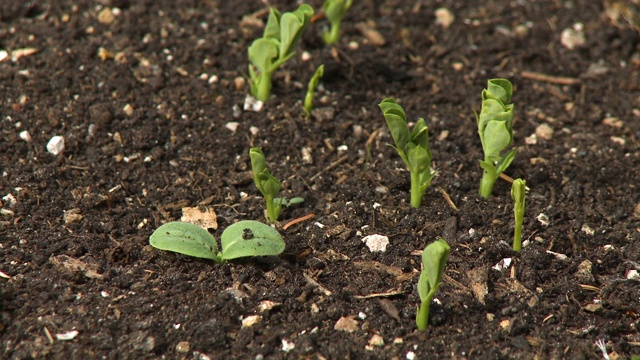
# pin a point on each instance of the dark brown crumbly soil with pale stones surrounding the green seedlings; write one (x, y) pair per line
(149, 98)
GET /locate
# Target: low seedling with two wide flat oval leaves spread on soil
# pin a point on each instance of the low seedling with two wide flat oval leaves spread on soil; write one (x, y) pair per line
(242, 239)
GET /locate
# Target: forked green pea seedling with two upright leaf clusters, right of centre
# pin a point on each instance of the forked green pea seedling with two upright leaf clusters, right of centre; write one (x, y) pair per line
(413, 147)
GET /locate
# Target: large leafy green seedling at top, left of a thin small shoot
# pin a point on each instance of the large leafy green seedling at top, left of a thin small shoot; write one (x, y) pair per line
(266, 54)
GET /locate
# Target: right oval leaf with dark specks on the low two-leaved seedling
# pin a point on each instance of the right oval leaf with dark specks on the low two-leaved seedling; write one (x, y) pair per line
(250, 238)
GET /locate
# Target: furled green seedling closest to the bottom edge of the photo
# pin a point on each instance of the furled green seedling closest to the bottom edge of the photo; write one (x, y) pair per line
(434, 259)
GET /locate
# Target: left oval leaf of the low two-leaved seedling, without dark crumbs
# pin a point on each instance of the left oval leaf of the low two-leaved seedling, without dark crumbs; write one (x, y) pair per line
(185, 238)
